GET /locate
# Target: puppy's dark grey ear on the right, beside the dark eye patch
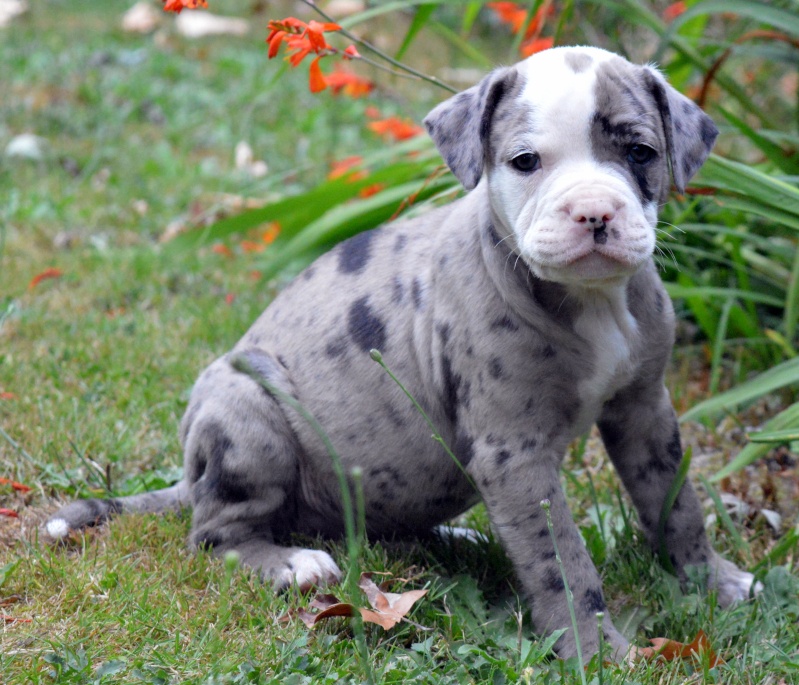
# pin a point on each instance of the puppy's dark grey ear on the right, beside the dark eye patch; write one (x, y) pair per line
(690, 133)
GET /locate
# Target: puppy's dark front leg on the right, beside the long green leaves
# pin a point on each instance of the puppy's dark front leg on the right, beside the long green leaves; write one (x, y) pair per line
(640, 431)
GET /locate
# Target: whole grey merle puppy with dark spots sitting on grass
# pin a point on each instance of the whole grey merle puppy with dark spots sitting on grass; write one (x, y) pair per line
(517, 316)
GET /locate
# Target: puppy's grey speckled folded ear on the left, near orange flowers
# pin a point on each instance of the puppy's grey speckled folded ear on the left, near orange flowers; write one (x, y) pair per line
(460, 126)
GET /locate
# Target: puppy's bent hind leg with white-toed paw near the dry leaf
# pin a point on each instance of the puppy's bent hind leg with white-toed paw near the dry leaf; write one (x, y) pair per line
(242, 461)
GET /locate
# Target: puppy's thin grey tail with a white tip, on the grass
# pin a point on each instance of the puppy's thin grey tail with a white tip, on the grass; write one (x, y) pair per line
(91, 512)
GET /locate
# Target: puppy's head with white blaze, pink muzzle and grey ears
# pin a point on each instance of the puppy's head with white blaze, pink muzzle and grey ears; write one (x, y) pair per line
(576, 146)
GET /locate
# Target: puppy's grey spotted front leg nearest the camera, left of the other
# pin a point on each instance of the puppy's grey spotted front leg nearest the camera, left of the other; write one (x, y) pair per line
(513, 480)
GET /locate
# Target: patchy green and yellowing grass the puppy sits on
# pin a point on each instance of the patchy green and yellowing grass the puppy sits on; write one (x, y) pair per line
(95, 368)
